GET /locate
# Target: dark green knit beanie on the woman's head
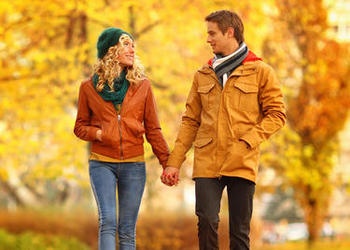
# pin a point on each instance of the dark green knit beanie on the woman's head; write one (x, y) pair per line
(108, 38)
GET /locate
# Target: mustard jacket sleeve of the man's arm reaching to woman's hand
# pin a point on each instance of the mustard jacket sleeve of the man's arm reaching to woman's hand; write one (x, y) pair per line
(188, 129)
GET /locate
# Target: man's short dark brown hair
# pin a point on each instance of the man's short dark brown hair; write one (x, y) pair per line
(226, 19)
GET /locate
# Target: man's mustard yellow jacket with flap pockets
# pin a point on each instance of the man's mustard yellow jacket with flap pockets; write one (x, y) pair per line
(221, 123)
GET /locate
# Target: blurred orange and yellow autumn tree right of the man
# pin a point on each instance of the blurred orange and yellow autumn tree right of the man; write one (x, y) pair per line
(317, 69)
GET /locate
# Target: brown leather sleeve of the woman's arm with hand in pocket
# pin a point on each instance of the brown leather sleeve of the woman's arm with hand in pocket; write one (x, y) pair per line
(82, 127)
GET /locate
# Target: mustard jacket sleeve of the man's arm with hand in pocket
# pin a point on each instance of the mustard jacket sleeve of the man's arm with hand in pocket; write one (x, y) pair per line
(272, 108)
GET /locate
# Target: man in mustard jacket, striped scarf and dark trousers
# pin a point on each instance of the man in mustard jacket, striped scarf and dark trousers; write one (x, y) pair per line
(235, 103)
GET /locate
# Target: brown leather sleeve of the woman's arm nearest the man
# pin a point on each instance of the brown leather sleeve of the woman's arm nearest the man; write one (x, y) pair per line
(153, 130)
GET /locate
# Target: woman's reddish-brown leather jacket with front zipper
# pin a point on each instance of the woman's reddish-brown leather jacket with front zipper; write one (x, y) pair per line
(122, 134)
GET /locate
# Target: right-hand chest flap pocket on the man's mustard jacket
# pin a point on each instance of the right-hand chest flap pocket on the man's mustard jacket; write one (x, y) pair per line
(244, 97)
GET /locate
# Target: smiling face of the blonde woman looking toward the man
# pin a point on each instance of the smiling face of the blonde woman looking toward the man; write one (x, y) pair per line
(126, 51)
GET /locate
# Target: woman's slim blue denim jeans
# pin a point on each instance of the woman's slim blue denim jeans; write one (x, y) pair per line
(129, 179)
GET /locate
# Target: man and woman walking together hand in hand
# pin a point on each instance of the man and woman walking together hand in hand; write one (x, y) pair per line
(234, 104)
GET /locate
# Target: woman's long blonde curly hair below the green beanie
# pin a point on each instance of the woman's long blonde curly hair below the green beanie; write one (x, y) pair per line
(108, 68)
